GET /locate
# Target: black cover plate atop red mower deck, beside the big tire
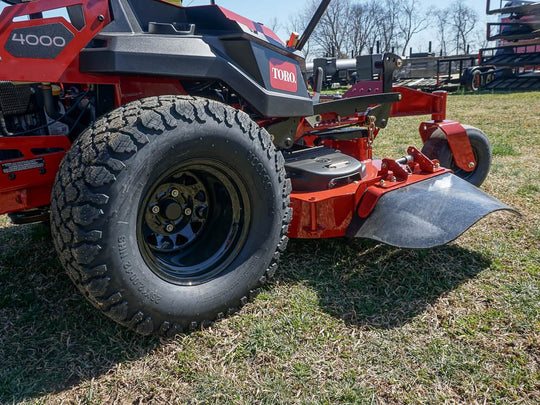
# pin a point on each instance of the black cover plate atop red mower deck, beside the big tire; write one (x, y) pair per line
(321, 168)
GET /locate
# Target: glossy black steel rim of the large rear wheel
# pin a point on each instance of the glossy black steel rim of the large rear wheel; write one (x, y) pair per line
(193, 221)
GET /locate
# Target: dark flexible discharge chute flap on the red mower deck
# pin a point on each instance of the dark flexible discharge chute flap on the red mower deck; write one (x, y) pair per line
(426, 214)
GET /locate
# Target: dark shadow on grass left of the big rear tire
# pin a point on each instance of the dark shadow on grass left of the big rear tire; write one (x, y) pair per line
(51, 338)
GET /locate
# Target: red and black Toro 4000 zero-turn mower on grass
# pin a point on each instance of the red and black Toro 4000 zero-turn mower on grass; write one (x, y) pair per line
(176, 149)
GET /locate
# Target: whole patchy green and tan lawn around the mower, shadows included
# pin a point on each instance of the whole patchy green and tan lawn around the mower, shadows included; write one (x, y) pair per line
(344, 321)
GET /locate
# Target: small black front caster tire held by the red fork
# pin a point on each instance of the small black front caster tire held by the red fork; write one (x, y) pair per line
(436, 147)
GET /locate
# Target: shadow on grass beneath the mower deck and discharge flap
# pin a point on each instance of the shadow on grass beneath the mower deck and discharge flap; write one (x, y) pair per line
(374, 285)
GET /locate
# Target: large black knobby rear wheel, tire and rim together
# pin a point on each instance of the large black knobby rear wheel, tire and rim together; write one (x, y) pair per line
(218, 230)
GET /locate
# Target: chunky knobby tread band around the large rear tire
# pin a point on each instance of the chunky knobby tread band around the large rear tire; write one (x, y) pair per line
(80, 193)
